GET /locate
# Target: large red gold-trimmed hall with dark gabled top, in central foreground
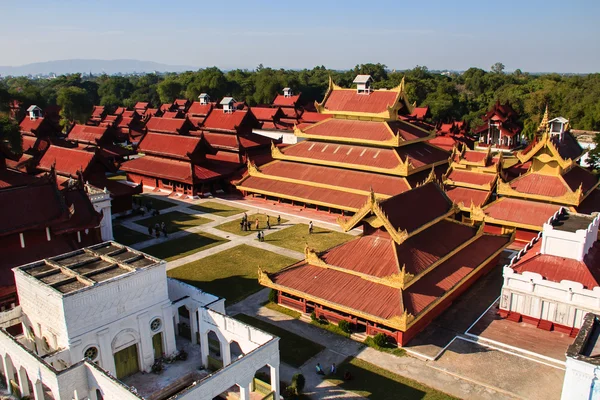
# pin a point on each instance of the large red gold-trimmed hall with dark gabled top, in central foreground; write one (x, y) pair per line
(412, 261)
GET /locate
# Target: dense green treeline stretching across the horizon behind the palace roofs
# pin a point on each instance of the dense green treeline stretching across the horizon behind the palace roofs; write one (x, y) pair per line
(465, 96)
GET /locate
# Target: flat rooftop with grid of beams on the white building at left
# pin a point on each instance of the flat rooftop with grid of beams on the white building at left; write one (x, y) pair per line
(71, 272)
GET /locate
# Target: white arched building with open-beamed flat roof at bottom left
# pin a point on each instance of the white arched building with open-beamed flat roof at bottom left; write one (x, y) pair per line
(95, 322)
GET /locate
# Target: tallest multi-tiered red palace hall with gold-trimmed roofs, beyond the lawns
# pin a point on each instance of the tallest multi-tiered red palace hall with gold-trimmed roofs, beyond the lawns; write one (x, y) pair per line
(363, 145)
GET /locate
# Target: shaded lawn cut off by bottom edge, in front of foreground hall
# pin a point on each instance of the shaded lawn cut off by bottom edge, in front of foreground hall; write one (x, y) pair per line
(373, 382)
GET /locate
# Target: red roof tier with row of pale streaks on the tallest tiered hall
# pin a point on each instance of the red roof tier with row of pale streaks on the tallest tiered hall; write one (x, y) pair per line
(344, 153)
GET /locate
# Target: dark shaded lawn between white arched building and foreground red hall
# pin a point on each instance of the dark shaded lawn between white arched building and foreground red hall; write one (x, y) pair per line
(293, 349)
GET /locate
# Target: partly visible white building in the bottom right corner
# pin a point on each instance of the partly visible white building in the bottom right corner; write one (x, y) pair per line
(582, 375)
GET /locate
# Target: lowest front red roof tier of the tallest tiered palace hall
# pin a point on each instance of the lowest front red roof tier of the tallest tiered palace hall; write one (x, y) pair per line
(305, 193)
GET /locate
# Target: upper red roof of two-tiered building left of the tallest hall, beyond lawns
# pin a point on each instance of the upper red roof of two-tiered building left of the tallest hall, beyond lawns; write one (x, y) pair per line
(169, 145)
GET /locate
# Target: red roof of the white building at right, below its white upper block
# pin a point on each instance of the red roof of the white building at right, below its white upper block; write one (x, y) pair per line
(556, 269)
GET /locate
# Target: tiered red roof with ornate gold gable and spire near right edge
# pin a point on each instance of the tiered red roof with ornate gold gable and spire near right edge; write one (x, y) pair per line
(551, 180)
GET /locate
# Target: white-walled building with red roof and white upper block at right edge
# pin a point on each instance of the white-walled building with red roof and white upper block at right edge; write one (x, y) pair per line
(554, 281)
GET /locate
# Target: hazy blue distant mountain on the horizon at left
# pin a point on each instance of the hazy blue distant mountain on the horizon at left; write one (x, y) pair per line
(94, 66)
